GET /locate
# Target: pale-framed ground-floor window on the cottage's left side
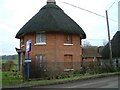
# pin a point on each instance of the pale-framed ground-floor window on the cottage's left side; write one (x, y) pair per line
(40, 59)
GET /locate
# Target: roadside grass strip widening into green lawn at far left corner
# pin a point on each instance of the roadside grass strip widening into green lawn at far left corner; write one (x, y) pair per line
(17, 81)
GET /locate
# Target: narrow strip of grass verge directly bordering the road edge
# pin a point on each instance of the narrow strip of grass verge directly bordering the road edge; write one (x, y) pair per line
(33, 83)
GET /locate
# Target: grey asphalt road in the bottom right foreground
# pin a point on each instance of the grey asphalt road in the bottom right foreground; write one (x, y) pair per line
(106, 82)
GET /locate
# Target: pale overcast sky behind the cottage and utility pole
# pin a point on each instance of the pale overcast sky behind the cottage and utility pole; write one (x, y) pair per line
(15, 13)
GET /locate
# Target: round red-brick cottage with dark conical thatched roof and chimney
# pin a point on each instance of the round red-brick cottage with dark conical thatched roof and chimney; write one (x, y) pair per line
(56, 42)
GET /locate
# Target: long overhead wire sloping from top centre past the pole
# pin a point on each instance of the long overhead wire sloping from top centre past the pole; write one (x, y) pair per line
(87, 10)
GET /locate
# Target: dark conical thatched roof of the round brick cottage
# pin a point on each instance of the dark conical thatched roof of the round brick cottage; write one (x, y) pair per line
(51, 18)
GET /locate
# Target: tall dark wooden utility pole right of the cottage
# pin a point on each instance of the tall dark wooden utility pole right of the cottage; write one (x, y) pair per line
(110, 47)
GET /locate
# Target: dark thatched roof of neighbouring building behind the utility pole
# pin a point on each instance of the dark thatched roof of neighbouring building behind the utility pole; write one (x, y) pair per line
(115, 43)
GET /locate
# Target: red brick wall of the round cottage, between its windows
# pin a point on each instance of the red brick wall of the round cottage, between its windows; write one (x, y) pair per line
(55, 49)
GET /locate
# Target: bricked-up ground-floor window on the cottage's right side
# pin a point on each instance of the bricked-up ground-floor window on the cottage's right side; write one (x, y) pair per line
(68, 61)
